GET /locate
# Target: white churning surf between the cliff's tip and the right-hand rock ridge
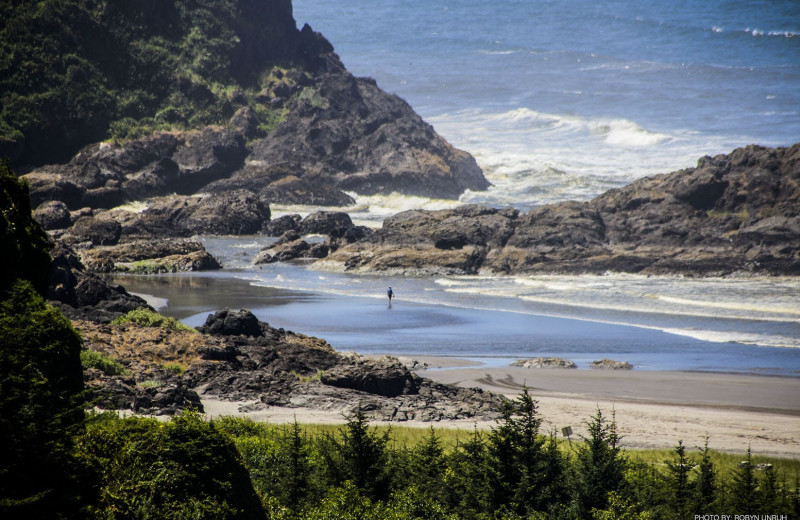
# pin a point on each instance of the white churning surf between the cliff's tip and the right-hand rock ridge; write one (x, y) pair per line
(534, 158)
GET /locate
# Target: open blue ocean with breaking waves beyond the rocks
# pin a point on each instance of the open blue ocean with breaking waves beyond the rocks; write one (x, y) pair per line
(565, 99)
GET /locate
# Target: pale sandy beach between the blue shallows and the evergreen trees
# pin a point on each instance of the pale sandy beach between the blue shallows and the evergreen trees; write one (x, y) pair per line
(653, 409)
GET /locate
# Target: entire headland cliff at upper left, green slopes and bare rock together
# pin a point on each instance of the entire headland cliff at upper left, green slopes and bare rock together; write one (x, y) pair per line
(192, 93)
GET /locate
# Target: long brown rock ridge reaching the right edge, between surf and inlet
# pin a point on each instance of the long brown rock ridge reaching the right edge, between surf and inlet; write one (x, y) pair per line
(733, 213)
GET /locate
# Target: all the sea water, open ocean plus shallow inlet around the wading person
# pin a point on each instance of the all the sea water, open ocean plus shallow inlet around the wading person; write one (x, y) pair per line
(557, 100)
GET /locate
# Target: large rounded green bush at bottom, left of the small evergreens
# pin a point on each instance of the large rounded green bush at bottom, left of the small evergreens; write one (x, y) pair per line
(183, 469)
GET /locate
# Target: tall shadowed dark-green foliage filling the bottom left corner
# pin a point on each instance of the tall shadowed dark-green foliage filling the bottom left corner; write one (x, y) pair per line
(41, 406)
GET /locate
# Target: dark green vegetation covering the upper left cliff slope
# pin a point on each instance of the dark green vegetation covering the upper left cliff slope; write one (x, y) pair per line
(74, 72)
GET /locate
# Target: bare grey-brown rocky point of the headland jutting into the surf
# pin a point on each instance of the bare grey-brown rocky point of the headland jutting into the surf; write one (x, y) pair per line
(348, 133)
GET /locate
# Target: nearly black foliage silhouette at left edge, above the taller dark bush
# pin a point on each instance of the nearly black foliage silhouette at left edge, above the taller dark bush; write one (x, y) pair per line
(24, 243)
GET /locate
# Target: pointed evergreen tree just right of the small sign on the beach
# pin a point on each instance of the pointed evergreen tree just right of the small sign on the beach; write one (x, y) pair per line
(600, 465)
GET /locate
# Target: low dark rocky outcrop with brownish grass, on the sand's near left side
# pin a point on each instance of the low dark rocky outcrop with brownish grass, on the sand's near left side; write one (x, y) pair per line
(238, 358)
